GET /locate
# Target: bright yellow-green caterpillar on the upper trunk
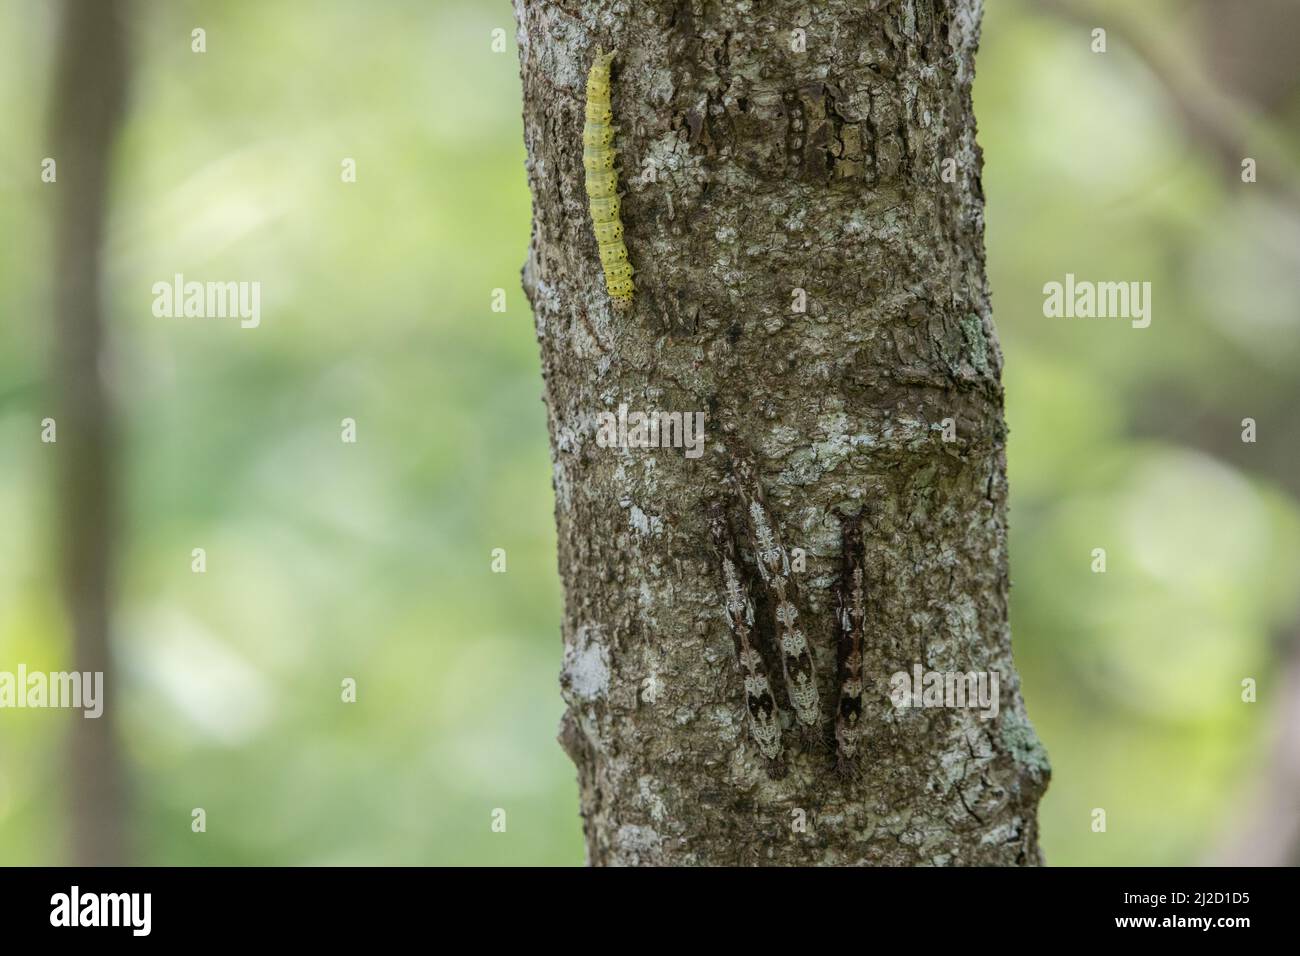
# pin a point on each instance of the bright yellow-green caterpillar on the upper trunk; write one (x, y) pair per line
(603, 183)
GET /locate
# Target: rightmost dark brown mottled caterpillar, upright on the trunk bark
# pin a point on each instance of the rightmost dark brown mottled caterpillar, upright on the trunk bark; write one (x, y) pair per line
(851, 615)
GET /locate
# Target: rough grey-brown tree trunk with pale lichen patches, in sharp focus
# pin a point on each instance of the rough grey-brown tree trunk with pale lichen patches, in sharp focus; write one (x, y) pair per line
(777, 171)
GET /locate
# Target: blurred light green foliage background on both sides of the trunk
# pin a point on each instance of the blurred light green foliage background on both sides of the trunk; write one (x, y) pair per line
(374, 560)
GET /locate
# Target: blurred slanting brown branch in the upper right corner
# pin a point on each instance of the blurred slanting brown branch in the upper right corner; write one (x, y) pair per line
(1212, 118)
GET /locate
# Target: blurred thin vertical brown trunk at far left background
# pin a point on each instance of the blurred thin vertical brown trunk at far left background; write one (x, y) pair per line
(86, 113)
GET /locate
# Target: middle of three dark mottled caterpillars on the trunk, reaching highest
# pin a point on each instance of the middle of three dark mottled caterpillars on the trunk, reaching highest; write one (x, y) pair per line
(774, 566)
